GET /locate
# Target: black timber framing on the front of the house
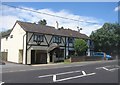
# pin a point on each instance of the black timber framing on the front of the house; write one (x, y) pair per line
(66, 45)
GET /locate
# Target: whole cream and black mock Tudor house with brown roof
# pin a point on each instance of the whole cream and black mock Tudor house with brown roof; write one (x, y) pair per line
(30, 43)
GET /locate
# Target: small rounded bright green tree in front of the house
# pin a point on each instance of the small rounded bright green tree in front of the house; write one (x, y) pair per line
(80, 46)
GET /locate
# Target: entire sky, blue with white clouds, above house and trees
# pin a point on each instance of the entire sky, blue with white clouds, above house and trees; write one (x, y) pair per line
(97, 13)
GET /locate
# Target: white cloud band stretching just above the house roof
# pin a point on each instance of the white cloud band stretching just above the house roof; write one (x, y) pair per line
(10, 15)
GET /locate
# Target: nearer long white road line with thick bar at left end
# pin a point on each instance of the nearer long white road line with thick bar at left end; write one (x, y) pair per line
(55, 80)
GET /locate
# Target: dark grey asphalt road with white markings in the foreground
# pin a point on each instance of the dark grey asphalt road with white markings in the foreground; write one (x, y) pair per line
(106, 72)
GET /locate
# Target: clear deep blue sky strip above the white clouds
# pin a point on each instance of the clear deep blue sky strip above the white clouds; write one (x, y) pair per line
(102, 10)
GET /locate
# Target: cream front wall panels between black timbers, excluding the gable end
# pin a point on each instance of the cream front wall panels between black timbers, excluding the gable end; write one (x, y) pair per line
(32, 45)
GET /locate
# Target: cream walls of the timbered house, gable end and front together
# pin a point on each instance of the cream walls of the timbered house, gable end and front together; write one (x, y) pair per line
(18, 42)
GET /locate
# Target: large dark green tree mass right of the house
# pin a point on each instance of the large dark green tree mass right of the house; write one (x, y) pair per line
(107, 38)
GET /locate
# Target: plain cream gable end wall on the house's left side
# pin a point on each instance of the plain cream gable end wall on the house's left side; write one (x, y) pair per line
(14, 44)
